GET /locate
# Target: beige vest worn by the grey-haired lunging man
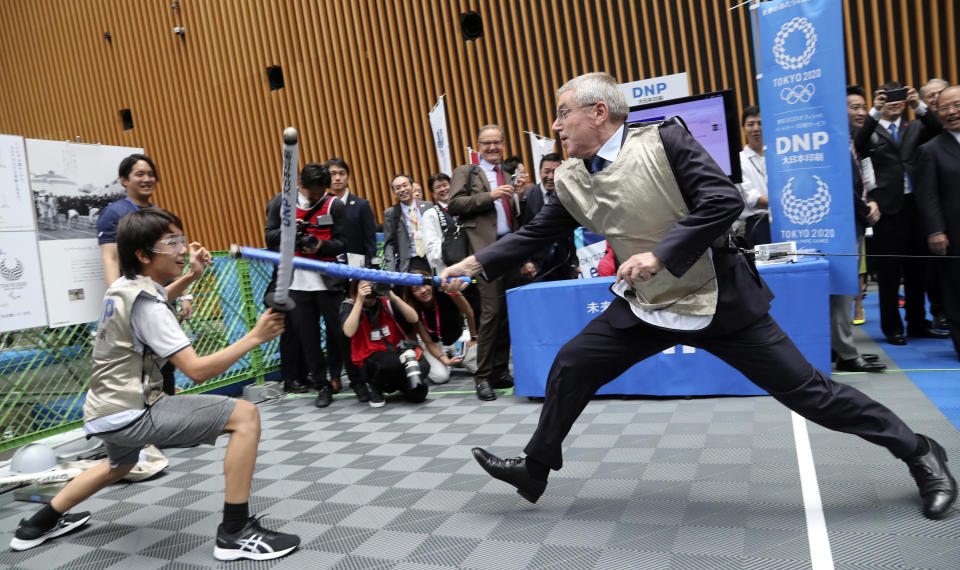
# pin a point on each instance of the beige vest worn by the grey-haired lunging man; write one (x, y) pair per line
(634, 202)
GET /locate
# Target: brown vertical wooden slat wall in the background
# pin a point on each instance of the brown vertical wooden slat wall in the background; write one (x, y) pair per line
(361, 76)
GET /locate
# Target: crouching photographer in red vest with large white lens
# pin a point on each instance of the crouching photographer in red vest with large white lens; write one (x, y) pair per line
(387, 359)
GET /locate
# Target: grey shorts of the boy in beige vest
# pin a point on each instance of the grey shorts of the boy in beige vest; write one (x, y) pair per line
(172, 421)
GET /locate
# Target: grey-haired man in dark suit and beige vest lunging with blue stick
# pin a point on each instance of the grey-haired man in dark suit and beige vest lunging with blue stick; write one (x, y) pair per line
(666, 209)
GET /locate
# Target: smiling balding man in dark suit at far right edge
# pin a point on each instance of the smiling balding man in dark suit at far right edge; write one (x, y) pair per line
(938, 199)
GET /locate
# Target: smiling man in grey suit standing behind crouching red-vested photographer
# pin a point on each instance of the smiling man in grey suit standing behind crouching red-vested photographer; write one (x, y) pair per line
(403, 246)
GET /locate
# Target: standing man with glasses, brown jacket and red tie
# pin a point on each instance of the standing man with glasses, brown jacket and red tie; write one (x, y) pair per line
(482, 197)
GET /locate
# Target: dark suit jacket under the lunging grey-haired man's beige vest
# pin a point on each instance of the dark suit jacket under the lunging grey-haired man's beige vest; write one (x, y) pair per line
(713, 203)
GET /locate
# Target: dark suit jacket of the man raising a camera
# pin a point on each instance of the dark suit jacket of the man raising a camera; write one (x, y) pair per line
(891, 160)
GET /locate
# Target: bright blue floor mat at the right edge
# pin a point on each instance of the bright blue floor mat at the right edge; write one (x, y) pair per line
(930, 363)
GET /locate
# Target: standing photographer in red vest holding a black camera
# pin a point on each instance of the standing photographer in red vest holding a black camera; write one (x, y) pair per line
(319, 236)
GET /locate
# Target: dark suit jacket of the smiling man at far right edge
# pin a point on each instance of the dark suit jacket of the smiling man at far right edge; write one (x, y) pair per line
(937, 185)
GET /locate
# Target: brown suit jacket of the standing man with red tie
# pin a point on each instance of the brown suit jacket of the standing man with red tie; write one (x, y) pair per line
(474, 207)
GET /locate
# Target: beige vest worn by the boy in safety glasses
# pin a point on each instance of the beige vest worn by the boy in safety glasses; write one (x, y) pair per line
(122, 378)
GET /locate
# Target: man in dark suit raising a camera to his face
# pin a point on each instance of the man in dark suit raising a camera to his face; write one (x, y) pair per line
(891, 142)
